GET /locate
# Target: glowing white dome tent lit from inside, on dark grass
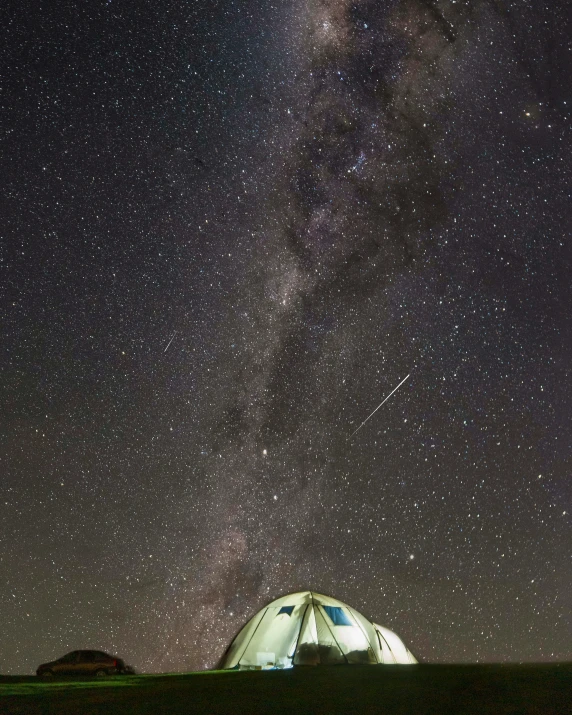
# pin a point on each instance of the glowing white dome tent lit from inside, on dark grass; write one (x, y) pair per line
(309, 629)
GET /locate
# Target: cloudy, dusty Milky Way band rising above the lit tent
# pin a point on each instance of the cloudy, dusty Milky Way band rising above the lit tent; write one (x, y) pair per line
(359, 194)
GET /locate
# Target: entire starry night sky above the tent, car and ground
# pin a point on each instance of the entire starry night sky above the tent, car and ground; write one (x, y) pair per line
(229, 230)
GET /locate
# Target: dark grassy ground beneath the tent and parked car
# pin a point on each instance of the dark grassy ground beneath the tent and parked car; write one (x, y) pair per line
(421, 689)
